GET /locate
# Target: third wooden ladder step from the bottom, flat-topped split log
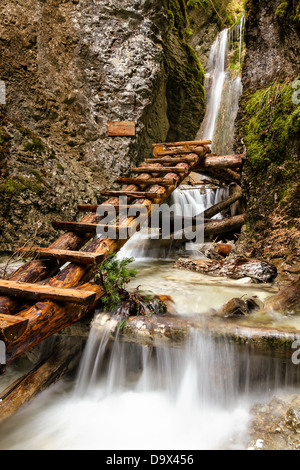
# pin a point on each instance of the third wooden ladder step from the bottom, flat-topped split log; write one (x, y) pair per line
(81, 257)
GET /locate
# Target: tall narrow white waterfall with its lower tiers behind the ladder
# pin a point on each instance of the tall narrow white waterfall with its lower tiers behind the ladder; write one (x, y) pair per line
(224, 89)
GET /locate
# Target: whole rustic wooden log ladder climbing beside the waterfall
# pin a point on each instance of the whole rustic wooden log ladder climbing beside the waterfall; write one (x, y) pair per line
(63, 296)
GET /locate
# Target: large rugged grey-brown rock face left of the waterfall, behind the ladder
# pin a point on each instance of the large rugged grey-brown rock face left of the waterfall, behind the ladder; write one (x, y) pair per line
(69, 67)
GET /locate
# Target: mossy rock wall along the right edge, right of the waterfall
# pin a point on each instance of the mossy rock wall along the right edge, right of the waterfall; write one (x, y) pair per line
(269, 125)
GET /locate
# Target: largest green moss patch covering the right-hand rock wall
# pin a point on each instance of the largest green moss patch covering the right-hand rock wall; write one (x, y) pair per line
(271, 129)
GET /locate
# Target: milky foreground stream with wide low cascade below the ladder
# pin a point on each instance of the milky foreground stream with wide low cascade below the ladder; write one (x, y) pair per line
(126, 396)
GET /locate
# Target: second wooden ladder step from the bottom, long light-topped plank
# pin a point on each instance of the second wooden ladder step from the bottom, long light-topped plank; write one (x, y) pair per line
(43, 292)
